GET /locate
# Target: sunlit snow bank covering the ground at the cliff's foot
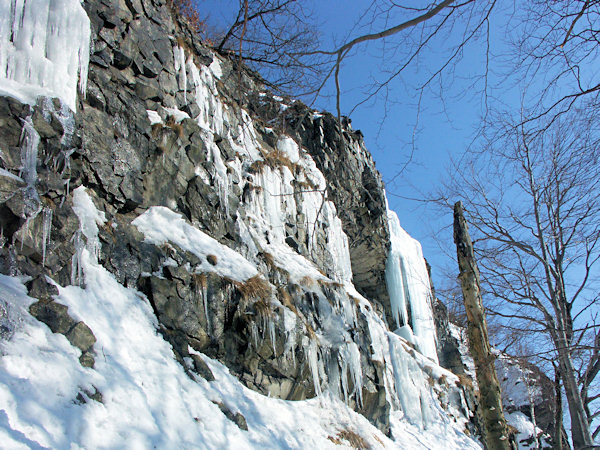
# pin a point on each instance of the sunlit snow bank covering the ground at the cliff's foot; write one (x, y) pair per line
(147, 400)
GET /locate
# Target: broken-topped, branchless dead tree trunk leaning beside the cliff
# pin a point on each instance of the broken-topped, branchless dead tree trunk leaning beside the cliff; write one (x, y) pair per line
(496, 434)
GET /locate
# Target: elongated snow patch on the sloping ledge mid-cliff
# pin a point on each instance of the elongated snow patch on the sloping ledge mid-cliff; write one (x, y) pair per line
(159, 225)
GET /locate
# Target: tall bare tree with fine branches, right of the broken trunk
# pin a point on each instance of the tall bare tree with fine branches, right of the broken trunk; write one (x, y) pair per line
(533, 200)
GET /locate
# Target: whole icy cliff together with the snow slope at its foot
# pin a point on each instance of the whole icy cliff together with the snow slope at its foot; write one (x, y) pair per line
(167, 233)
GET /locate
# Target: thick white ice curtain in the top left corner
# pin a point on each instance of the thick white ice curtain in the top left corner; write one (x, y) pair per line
(44, 49)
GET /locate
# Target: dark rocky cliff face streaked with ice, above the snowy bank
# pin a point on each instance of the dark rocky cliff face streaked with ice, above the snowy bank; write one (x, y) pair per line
(256, 228)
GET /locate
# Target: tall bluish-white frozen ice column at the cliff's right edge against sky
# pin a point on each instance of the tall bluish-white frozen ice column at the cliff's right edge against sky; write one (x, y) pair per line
(408, 285)
